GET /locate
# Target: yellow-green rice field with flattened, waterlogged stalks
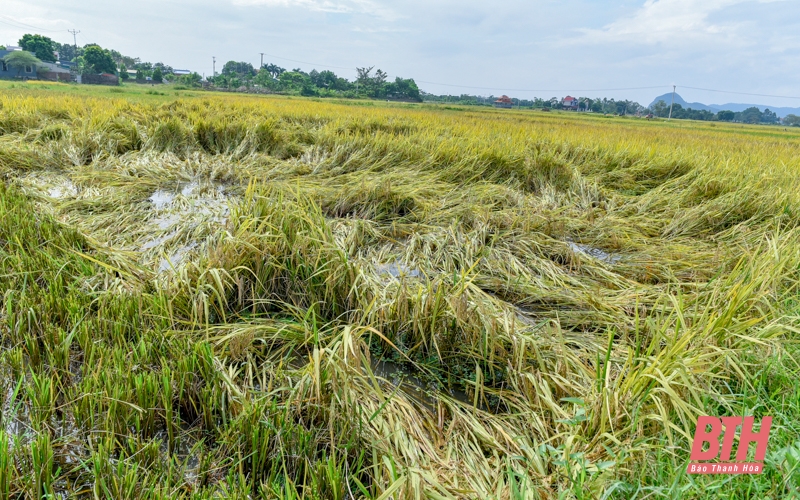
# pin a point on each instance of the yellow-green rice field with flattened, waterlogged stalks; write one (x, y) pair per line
(219, 296)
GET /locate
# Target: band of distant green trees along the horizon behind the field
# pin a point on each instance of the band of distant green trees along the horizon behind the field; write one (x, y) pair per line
(93, 59)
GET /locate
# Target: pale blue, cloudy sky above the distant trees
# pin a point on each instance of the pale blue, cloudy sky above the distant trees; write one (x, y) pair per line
(545, 48)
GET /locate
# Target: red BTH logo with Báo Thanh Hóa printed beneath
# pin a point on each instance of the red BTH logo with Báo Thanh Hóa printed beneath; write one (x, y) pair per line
(723, 449)
